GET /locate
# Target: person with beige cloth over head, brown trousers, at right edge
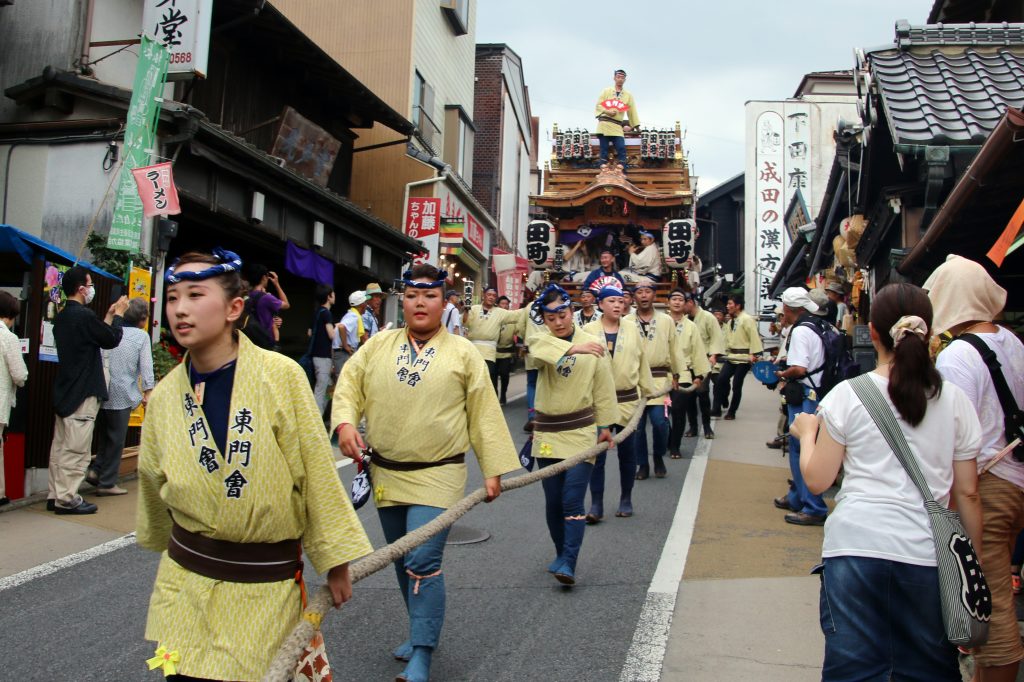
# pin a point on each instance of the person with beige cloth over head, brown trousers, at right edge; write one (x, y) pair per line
(966, 301)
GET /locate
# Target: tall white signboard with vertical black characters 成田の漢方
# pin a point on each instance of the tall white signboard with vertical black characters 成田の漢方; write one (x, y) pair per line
(771, 186)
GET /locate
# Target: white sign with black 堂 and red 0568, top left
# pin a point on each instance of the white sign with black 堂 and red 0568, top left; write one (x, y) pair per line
(184, 28)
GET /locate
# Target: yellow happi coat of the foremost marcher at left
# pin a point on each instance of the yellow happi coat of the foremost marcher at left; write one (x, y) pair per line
(231, 631)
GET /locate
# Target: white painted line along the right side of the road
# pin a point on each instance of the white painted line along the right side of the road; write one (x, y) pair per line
(647, 655)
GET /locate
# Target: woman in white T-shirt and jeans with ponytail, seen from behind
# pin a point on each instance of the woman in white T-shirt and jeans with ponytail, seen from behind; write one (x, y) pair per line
(880, 606)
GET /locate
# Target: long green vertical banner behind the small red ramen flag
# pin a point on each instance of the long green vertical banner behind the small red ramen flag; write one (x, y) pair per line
(141, 135)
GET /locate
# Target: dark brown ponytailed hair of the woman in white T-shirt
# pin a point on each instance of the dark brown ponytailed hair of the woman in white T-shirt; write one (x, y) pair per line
(913, 378)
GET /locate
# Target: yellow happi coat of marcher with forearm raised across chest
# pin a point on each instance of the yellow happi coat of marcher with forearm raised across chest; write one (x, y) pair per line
(570, 383)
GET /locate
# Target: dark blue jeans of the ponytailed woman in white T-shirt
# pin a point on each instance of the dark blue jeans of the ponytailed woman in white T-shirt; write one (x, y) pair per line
(883, 621)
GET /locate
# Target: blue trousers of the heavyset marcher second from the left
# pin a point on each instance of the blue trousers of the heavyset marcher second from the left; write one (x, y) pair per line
(424, 589)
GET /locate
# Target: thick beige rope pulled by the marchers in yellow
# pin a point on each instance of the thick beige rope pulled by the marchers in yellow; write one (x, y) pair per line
(283, 667)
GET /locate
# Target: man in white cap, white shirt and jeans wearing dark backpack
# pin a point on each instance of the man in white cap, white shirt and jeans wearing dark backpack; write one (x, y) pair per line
(805, 360)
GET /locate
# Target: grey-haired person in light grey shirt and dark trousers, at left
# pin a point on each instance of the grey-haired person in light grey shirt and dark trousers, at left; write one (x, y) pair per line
(131, 362)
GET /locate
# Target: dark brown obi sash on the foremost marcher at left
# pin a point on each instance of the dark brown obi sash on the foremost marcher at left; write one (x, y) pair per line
(236, 563)
